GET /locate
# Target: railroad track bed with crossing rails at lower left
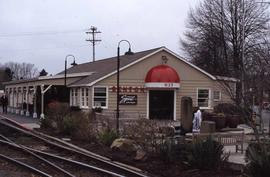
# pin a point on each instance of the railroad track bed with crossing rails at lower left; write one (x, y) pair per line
(44, 155)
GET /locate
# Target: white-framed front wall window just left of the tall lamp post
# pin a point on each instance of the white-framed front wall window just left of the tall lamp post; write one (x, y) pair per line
(100, 97)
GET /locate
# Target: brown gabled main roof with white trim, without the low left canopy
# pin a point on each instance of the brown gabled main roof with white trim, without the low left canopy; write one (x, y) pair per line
(107, 67)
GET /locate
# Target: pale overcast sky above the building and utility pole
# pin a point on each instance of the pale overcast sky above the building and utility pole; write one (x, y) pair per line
(44, 32)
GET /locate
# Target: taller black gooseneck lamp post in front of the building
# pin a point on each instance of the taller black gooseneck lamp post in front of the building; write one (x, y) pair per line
(118, 68)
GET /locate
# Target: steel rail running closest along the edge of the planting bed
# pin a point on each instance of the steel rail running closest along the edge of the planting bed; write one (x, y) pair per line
(108, 162)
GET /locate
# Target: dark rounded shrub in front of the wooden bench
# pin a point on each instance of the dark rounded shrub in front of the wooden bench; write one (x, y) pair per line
(206, 154)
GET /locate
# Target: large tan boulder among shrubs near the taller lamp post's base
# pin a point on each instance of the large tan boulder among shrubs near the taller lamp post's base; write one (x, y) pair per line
(125, 145)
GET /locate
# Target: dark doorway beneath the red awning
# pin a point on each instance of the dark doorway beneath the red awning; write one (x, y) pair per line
(161, 104)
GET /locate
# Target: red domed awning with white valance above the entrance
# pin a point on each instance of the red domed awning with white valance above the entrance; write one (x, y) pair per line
(162, 76)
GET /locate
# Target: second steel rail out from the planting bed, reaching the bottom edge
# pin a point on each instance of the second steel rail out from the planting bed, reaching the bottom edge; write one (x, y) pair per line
(14, 145)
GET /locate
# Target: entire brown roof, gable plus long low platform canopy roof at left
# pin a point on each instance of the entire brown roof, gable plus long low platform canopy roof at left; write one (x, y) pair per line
(92, 72)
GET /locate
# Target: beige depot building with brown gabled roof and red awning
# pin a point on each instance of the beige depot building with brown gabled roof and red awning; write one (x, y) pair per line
(153, 84)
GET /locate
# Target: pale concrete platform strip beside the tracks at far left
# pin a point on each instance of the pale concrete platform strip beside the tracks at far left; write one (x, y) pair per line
(27, 122)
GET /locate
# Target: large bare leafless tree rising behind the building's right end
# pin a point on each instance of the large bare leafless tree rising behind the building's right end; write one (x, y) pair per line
(225, 37)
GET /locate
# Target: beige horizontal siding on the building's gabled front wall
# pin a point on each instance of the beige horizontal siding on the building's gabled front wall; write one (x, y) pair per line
(191, 79)
